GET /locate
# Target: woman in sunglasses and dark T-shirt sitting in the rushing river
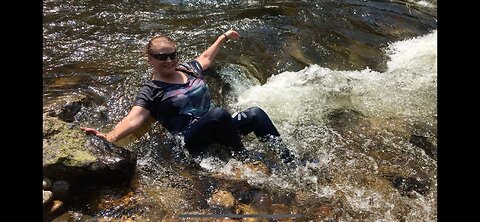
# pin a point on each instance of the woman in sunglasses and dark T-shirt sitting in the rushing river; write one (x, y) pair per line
(179, 98)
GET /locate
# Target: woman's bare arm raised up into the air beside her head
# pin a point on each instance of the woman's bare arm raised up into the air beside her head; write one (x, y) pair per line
(206, 58)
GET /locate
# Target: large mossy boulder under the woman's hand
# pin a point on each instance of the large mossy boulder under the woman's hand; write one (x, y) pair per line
(83, 160)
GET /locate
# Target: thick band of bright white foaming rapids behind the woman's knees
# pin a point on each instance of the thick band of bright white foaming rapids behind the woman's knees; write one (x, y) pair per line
(408, 88)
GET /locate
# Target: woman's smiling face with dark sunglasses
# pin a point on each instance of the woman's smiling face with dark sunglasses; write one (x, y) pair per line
(163, 56)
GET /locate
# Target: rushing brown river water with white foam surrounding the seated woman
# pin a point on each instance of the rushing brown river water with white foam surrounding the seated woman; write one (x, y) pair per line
(364, 107)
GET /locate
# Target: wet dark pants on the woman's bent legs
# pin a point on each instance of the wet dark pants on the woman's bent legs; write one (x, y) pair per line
(217, 126)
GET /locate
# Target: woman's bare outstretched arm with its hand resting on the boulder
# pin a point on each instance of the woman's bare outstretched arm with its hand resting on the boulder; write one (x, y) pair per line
(135, 118)
